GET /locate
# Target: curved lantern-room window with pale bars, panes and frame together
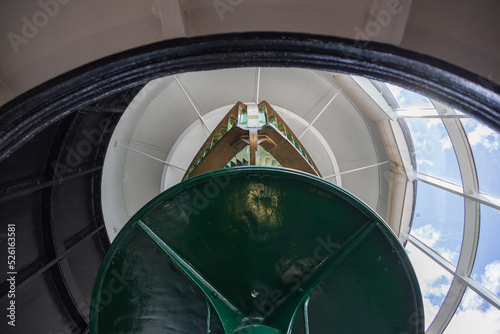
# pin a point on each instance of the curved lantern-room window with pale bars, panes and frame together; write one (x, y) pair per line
(435, 239)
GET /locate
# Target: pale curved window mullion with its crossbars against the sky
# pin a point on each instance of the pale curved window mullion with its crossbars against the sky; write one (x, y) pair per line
(472, 199)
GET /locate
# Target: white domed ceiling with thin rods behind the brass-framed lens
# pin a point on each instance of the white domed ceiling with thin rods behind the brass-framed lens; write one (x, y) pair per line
(167, 123)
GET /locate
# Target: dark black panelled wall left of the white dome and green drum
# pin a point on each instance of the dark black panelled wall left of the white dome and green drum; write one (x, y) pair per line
(63, 234)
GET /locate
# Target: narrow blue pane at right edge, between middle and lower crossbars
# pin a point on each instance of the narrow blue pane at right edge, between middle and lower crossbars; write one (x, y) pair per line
(487, 264)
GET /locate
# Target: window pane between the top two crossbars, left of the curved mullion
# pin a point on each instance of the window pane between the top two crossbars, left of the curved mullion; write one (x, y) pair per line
(433, 149)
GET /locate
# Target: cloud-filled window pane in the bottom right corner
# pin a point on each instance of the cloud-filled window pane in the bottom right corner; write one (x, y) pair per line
(474, 315)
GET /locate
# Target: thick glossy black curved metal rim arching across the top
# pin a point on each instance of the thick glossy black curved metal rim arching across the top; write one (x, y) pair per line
(29, 113)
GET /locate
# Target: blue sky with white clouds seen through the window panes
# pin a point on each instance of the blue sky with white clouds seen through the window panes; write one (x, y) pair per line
(439, 216)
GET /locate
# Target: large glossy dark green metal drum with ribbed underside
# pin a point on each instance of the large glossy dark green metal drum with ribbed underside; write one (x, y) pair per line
(256, 250)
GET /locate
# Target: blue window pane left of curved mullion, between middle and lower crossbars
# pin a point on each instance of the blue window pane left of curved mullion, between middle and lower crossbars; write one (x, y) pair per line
(438, 220)
